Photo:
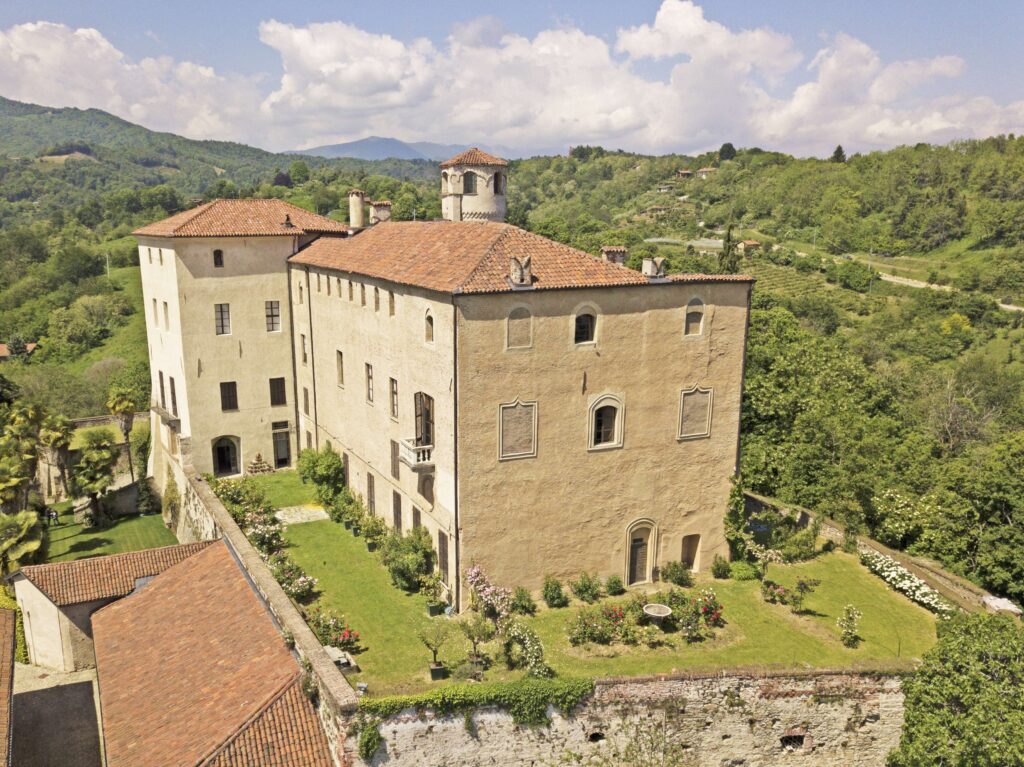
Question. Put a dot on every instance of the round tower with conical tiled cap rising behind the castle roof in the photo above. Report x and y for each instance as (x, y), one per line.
(474, 187)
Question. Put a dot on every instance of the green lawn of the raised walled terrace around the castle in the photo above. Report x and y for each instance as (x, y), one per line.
(894, 630)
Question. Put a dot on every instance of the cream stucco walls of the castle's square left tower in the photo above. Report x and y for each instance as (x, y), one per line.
(182, 286)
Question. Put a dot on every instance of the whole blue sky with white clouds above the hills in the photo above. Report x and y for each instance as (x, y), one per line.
(933, 71)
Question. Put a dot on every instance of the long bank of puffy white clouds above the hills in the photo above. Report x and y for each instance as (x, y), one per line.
(488, 84)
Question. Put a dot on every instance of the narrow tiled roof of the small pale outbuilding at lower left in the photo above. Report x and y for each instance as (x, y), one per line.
(105, 578)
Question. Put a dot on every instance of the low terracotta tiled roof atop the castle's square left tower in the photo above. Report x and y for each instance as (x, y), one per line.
(242, 219)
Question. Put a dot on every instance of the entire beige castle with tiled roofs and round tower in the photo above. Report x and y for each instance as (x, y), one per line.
(538, 410)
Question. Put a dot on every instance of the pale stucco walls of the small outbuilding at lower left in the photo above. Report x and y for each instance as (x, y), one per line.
(57, 637)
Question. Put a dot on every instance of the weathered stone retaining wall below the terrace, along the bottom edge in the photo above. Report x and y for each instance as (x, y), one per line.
(842, 718)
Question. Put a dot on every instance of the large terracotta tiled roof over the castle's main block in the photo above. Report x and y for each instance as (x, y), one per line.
(467, 258)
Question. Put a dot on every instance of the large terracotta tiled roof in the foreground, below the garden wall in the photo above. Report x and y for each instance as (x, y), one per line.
(193, 672)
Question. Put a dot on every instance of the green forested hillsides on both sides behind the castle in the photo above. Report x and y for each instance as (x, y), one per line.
(900, 412)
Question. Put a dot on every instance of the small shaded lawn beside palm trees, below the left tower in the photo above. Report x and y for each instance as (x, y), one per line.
(69, 541)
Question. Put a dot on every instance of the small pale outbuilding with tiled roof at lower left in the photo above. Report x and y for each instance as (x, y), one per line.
(58, 601)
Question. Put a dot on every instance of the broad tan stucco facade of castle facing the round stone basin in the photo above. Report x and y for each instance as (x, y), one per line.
(573, 507)
